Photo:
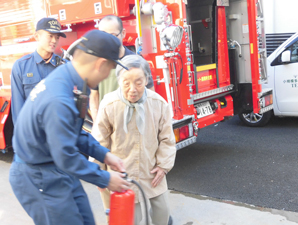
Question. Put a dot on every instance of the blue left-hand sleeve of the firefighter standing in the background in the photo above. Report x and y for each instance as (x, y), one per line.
(17, 92)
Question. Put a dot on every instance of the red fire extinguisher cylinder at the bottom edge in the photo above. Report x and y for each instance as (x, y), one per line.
(122, 208)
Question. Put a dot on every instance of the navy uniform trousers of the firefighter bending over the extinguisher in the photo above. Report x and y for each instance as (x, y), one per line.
(50, 196)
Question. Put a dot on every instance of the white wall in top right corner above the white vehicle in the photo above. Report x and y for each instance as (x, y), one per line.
(281, 16)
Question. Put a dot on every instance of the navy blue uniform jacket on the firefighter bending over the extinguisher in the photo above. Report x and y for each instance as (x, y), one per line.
(49, 129)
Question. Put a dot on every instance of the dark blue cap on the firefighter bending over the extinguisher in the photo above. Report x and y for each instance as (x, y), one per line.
(101, 44)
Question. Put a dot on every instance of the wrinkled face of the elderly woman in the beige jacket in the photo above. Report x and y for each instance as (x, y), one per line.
(132, 83)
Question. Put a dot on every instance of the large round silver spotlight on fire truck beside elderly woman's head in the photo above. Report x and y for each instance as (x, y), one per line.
(171, 36)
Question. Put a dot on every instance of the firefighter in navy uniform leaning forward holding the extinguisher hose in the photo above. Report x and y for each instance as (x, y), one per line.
(48, 139)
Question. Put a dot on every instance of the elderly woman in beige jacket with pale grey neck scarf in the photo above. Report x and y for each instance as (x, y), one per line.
(135, 123)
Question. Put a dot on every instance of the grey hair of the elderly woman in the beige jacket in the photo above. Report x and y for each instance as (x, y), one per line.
(133, 61)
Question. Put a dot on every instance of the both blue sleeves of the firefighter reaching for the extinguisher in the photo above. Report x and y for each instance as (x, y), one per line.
(65, 138)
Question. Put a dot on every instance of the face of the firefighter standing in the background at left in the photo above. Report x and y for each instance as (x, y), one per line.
(47, 41)
